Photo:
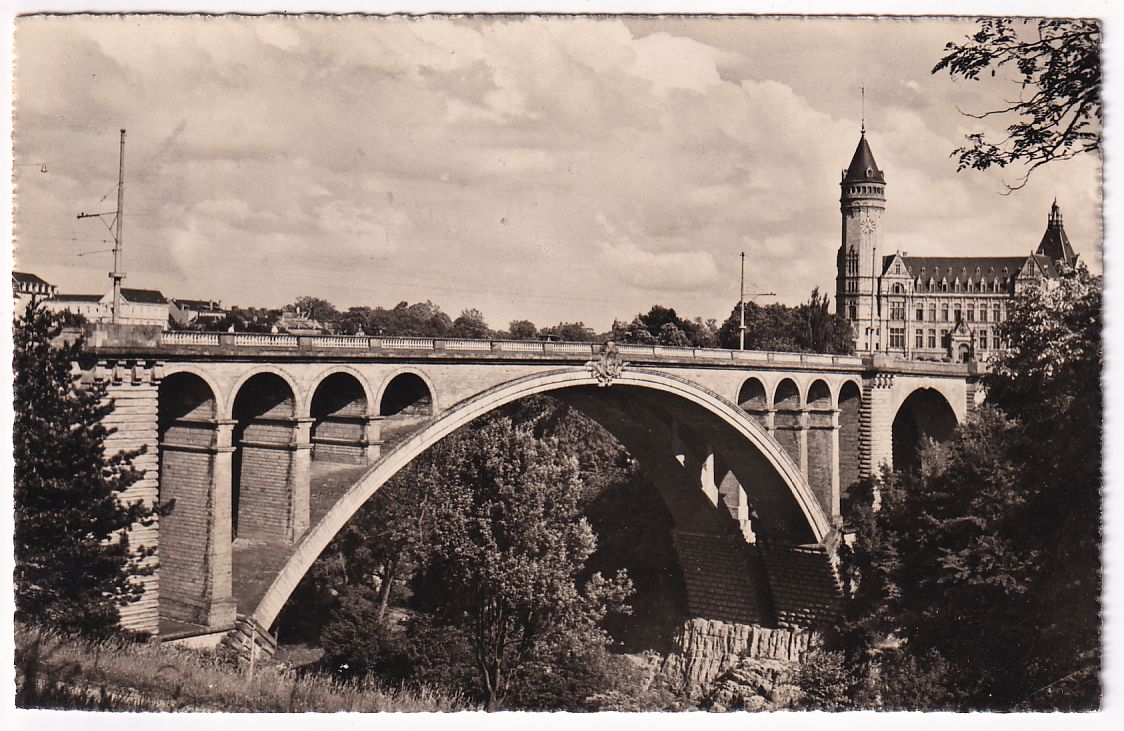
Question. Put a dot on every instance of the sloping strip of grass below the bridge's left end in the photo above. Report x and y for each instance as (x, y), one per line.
(57, 672)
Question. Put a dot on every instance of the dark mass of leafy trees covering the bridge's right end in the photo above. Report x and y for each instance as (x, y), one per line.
(987, 562)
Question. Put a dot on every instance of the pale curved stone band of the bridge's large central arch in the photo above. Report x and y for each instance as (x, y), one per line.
(784, 498)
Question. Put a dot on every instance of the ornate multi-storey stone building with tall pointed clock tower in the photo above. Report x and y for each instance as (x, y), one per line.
(927, 308)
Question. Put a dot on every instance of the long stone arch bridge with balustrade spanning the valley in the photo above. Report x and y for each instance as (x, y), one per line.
(269, 444)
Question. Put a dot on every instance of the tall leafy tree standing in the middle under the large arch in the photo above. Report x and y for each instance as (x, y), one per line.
(514, 542)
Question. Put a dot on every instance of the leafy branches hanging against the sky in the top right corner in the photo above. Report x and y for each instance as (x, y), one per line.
(1057, 64)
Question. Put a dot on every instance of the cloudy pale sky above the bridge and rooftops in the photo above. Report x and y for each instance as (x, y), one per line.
(551, 169)
